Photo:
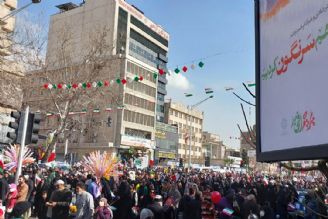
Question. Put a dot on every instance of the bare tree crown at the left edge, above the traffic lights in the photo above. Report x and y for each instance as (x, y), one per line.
(20, 50)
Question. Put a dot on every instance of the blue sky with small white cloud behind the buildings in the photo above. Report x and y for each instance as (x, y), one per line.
(220, 33)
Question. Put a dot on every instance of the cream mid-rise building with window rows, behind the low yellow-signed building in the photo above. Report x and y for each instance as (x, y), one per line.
(180, 115)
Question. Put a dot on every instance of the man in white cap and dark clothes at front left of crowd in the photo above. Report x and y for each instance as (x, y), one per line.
(59, 201)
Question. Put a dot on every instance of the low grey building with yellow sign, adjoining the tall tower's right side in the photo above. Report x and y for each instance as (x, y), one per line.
(167, 139)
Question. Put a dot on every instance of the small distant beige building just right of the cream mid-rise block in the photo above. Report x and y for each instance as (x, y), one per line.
(213, 148)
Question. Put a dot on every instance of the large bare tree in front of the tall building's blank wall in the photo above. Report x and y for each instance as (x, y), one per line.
(69, 66)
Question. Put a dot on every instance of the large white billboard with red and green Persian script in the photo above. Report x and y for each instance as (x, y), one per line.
(292, 79)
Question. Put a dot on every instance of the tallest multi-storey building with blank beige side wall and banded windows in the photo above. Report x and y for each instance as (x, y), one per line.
(140, 47)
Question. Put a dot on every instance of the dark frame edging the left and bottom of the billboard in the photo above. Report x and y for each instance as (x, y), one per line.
(301, 153)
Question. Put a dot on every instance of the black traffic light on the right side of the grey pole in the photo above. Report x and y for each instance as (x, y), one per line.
(33, 127)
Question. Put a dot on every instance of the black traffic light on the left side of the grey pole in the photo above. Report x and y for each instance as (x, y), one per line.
(17, 125)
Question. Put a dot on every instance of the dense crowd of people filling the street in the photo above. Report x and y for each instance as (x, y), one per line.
(158, 193)
